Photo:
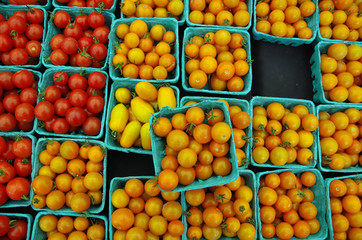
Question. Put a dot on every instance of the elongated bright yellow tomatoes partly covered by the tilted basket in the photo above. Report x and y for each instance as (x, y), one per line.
(129, 121)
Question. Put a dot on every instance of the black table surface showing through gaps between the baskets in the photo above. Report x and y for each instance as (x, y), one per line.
(278, 71)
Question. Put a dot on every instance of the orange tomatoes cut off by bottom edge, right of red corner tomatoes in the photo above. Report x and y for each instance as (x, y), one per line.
(71, 228)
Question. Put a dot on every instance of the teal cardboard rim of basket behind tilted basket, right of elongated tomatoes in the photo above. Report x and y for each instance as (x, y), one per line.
(243, 104)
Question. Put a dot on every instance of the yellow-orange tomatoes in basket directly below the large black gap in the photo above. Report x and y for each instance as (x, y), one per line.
(283, 136)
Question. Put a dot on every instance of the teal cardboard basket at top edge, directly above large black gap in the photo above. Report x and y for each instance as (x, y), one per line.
(312, 22)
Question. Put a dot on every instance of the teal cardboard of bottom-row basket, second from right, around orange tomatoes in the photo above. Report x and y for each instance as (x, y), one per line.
(319, 201)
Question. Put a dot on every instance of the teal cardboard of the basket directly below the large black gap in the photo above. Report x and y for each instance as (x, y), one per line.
(287, 103)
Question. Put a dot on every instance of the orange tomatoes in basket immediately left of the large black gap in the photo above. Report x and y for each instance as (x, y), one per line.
(218, 58)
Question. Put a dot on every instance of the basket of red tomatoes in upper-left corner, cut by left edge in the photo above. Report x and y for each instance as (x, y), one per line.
(21, 36)
